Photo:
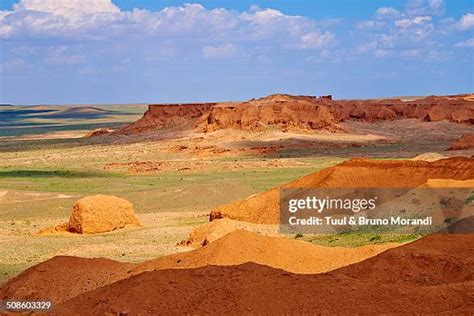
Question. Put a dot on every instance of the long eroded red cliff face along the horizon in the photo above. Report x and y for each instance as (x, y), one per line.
(299, 112)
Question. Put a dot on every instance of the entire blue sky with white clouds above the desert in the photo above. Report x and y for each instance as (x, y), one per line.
(124, 51)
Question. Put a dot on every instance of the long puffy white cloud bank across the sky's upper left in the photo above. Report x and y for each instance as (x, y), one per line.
(101, 19)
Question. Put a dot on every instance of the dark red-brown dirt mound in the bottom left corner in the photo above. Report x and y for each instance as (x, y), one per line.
(62, 278)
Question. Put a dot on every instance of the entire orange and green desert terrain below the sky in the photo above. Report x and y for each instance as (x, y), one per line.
(201, 188)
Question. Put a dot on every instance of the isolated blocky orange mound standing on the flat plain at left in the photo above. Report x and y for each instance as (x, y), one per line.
(96, 214)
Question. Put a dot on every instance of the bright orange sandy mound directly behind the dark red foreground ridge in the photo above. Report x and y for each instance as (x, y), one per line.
(279, 252)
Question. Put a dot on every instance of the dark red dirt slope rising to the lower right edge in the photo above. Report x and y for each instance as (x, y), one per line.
(433, 260)
